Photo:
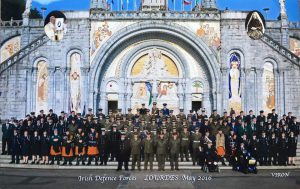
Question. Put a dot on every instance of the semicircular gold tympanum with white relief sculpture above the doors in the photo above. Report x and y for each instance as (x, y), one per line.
(155, 65)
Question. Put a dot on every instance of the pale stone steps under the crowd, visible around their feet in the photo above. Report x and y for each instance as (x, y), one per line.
(5, 159)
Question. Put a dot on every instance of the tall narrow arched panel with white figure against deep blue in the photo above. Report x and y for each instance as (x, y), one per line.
(235, 101)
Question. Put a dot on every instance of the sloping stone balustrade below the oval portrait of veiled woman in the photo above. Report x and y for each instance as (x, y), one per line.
(281, 49)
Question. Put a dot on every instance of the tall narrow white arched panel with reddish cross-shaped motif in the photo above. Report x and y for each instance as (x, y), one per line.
(75, 79)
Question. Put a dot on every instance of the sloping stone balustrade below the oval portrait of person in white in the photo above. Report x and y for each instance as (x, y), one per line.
(23, 52)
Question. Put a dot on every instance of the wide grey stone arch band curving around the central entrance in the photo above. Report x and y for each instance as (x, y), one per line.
(170, 32)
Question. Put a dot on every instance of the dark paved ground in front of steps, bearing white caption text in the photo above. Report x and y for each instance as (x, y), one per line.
(55, 179)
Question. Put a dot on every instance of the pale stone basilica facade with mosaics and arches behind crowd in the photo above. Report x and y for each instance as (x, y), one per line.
(121, 59)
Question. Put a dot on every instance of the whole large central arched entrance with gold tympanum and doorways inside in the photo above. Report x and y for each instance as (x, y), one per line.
(162, 60)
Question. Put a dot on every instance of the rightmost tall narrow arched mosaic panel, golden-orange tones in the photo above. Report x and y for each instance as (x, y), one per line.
(268, 87)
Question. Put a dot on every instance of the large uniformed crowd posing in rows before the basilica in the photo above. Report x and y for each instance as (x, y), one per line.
(150, 135)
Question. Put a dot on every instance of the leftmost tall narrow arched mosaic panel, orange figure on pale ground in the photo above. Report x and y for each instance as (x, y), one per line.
(42, 86)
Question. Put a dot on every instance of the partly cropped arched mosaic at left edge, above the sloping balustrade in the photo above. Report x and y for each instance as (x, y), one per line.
(9, 48)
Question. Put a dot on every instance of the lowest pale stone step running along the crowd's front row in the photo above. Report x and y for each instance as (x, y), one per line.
(111, 167)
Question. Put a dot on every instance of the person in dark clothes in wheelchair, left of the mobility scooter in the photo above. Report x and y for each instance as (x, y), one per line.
(211, 158)
